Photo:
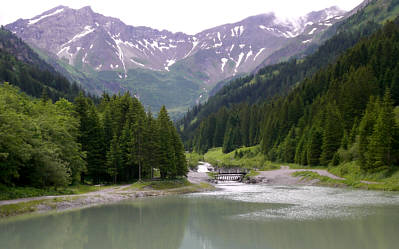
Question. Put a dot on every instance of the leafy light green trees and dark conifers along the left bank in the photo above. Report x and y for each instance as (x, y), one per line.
(55, 144)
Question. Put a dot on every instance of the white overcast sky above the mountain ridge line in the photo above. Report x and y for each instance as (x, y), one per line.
(188, 16)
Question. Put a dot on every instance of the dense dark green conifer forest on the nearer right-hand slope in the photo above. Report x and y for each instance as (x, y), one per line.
(343, 112)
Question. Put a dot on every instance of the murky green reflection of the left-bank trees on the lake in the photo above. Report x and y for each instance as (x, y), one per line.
(147, 224)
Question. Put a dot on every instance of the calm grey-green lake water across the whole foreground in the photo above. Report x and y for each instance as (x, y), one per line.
(238, 216)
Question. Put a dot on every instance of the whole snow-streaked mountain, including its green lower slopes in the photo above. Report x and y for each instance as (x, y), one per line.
(89, 46)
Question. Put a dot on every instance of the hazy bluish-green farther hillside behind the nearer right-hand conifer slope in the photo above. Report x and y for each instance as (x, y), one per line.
(276, 80)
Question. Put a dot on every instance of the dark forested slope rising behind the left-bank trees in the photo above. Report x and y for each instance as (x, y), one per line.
(21, 66)
